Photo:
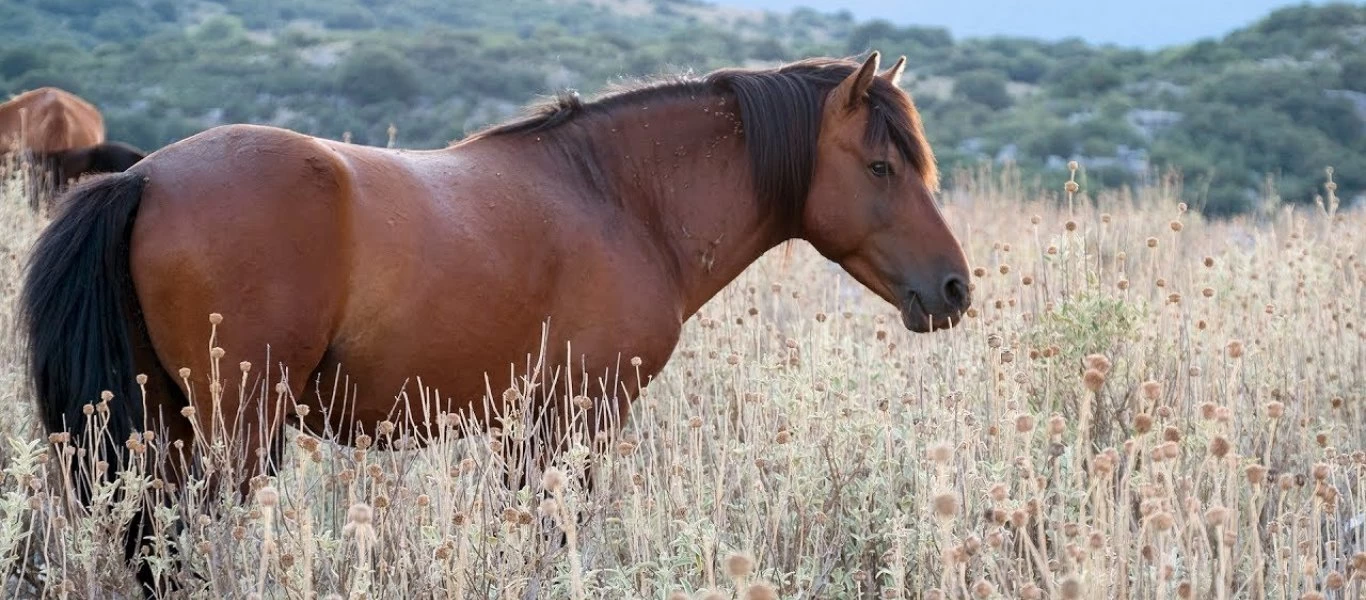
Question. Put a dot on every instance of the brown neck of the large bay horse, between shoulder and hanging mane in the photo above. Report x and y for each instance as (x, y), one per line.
(684, 176)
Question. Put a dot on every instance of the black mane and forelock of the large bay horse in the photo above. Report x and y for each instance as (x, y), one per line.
(781, 118)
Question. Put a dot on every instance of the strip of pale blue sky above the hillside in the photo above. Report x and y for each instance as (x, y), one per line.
(1143, 24)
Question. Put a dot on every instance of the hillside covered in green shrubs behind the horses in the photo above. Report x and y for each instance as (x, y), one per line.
(1257, 114)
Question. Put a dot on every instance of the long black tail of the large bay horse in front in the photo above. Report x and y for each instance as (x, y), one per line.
(80, 315)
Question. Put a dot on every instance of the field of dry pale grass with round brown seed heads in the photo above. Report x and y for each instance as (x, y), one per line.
(1145, 405)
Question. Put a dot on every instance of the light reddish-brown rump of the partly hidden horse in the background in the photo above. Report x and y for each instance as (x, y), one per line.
(48, 120)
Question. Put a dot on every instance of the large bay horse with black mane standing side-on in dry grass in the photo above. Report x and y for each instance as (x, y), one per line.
(613, 221)
